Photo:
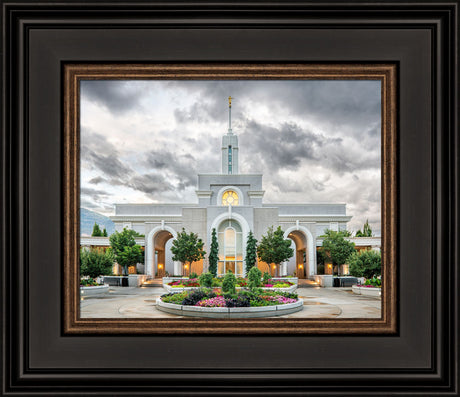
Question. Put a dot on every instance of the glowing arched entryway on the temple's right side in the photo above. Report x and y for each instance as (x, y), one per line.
(305, 255)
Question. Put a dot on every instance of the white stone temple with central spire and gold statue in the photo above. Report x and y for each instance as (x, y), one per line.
(232, 203)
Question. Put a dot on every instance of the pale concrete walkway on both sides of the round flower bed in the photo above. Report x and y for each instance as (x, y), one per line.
(127, 302)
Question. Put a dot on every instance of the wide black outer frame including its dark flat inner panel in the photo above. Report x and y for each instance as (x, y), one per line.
(420, 359)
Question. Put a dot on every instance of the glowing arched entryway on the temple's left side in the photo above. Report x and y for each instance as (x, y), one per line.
(155, 250)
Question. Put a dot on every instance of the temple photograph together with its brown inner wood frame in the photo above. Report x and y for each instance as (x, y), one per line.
(230, 203)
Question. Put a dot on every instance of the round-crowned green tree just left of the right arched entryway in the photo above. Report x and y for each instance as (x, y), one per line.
(273, 248)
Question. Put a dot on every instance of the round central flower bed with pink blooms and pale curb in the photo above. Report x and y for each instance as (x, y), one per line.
(207, 302)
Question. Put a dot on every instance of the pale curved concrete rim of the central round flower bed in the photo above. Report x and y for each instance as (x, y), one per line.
(230, 312)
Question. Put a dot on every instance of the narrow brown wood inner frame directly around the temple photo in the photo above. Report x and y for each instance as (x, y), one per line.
(74, 73)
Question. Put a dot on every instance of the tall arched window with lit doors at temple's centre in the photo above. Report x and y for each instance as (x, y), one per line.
(230, 239)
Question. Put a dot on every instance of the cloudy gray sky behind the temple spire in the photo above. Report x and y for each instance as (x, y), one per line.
(314, 141)
